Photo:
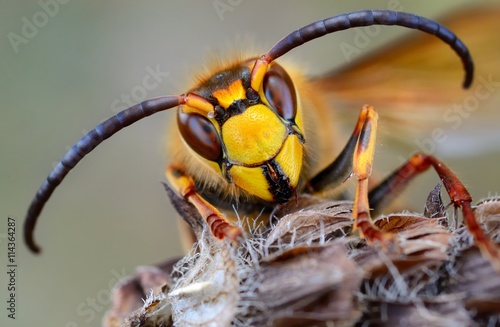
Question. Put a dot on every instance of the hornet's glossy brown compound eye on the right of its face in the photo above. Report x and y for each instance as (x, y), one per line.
(280, 93)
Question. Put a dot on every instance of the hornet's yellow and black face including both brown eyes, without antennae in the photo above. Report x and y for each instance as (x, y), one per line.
(252, 139)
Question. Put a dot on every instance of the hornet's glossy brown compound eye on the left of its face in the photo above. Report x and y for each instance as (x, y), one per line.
(200, 134)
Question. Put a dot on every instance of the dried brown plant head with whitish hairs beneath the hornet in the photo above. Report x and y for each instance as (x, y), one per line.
(309, 270)
